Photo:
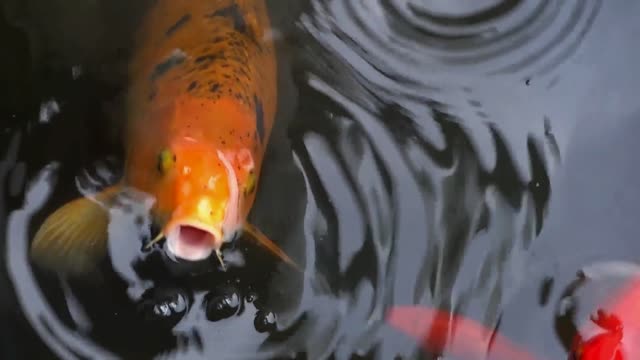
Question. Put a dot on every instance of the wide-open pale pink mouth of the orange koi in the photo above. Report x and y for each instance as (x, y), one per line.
(191, 242)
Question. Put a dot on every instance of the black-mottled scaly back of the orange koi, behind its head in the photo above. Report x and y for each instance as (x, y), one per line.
(233, 59)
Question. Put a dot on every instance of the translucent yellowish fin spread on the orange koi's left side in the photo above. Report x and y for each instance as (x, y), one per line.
(73, 239)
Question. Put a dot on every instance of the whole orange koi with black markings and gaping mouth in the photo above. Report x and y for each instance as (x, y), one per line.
(200, 110)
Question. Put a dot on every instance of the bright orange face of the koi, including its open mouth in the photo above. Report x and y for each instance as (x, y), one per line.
(201, 187)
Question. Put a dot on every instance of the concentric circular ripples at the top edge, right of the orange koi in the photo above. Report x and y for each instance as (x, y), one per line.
(489, 37)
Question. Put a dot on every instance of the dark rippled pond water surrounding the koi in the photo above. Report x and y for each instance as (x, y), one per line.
(467, 155)
